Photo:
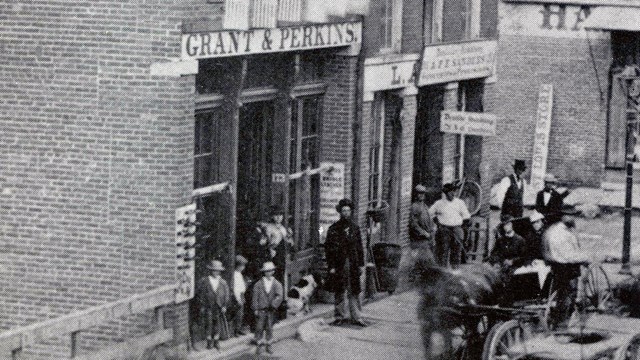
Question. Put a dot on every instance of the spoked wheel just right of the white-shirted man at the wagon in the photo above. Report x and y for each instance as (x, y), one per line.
(596, 291)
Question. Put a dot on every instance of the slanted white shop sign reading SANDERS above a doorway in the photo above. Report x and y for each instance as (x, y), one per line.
(455, 62)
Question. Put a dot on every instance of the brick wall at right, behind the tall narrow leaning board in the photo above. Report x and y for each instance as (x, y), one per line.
(577, 66)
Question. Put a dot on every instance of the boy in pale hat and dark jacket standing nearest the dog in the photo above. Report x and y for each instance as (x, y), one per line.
(268, 295)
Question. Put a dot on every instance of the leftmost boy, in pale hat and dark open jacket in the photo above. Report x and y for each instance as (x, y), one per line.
(212, 293)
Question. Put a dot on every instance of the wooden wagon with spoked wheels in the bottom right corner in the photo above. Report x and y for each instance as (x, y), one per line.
(592, 335)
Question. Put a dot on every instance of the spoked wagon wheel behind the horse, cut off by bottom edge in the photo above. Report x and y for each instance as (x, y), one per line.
(504, 336)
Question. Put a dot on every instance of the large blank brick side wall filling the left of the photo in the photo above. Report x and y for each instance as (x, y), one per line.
(95, 157)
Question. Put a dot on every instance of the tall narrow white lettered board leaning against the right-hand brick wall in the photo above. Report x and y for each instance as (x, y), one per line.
(541, 137)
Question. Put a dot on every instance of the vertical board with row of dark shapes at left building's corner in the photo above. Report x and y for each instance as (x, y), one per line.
(185, 240)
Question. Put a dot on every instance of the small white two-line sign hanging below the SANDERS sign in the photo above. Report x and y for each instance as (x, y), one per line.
(468, 123)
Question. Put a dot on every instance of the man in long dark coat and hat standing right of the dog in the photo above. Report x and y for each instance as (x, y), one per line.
(345, 259)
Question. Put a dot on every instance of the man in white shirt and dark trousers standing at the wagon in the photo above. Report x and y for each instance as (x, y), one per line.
(562, 252)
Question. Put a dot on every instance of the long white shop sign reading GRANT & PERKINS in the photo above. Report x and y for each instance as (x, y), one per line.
(259, 41)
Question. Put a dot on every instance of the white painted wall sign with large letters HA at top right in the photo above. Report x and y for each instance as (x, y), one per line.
(547, 20)
